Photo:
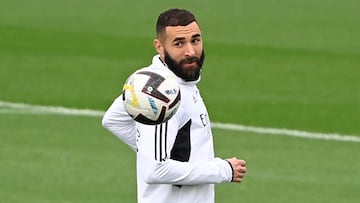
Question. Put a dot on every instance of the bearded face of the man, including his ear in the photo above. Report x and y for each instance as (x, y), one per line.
(182, 50)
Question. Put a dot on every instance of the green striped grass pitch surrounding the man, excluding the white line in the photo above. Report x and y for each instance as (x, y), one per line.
(280, 64)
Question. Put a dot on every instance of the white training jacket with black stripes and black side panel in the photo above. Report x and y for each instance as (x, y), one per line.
(175, 160)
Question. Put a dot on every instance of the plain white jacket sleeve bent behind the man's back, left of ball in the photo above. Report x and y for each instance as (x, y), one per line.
(117, 121)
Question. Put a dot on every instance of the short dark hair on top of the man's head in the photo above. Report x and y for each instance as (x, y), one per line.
(173, 17)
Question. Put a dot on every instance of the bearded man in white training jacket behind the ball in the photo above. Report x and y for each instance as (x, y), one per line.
(175, 160)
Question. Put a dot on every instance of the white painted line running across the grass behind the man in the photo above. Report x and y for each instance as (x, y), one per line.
(21, 108)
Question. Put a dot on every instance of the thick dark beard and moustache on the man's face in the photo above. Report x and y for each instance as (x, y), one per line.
(187, 74)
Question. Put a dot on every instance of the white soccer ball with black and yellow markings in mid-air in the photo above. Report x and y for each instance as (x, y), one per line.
(151, 96)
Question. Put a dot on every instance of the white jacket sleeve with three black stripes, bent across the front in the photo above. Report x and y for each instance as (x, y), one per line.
(156, 166)
